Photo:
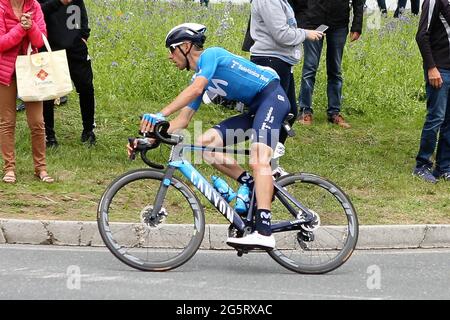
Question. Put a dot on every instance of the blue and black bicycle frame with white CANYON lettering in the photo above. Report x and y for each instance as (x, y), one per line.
(178, 162)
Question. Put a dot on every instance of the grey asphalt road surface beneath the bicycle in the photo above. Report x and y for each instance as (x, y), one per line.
(54, 272)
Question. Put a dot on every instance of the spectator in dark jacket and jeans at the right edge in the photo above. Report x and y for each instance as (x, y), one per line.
(434, 45)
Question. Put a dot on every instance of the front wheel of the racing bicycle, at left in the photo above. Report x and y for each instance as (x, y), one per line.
(129, 238)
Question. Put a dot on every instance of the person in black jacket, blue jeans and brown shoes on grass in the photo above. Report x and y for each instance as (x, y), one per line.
(336, 15)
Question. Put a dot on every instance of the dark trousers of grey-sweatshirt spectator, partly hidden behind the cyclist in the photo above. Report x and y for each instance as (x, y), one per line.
(286, 75)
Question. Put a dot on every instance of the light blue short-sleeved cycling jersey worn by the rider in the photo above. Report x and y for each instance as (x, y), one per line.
(231, 76)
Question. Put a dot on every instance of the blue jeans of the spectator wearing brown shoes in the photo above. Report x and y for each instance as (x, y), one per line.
(312, 50)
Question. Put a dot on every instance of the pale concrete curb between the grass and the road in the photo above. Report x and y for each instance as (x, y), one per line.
(85, 233)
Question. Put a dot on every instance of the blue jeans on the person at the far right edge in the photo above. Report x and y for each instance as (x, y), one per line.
(437, 122)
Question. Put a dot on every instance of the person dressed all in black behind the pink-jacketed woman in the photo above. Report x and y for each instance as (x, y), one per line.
(63, 35)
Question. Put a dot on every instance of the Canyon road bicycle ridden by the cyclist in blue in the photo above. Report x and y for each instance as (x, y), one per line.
(152, 220)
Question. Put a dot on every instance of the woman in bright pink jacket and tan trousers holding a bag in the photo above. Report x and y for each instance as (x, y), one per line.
(21, 22)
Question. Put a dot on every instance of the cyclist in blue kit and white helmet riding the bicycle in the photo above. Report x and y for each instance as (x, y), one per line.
(234, 78)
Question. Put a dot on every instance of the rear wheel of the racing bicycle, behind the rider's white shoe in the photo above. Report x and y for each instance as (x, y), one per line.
(339, 221)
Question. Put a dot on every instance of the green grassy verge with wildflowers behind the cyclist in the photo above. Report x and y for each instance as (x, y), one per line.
(372, 162)
